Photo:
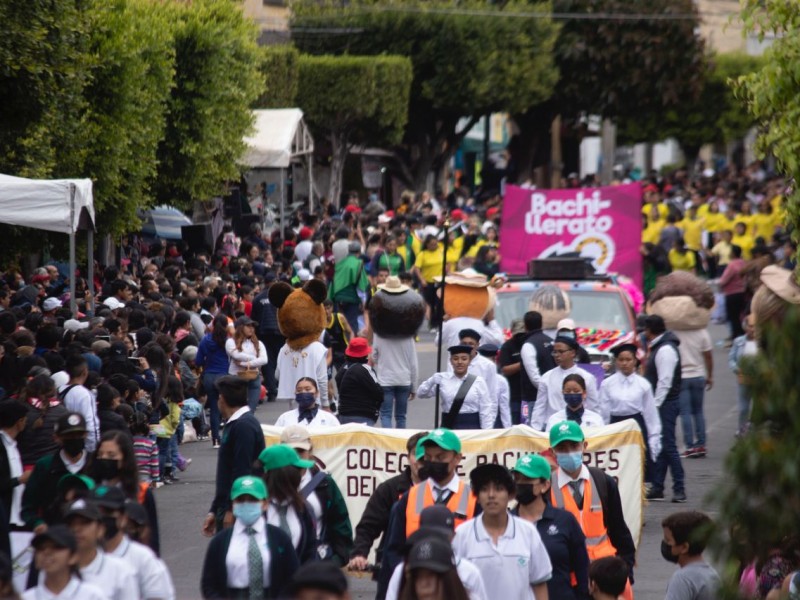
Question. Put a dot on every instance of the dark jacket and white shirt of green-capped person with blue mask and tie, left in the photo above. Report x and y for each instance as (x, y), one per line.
(226, 569)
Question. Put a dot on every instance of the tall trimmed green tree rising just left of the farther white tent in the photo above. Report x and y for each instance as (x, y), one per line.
(217, 81)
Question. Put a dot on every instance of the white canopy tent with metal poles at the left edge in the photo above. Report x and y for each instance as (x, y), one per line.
(61, 205)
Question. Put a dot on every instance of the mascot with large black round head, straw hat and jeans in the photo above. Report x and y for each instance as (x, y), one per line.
(395, 314)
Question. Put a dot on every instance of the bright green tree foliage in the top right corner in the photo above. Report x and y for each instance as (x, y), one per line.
(772, 94)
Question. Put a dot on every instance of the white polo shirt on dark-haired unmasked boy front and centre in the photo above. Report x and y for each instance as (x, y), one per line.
(520, 556)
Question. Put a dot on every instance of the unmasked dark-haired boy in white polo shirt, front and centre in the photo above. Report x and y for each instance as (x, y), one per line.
(498, 542)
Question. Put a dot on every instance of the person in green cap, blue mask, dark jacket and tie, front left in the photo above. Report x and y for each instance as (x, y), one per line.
(252, 559)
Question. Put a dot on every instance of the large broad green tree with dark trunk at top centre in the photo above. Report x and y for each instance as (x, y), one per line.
(470, 58)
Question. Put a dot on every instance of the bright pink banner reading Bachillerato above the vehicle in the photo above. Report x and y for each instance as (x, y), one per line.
(604, 224)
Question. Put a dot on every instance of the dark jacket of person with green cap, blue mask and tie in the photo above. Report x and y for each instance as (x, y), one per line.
(283, 564)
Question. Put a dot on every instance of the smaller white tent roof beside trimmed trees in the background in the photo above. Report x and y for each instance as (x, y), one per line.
(279, 135)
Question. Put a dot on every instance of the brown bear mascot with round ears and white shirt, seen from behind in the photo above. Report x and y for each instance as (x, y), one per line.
(301, 319)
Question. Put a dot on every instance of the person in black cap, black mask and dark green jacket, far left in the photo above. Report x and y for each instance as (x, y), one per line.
(39, 506)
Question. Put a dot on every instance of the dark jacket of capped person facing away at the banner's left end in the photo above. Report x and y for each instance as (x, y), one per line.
(242, 442)
